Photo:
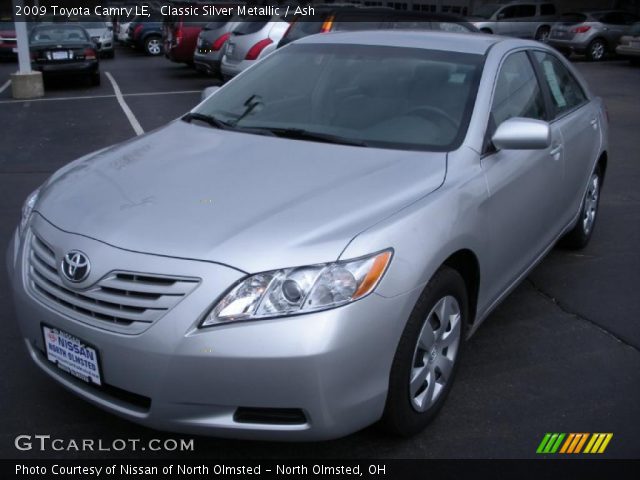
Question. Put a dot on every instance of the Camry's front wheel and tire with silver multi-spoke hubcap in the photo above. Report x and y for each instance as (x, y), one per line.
(428, 344)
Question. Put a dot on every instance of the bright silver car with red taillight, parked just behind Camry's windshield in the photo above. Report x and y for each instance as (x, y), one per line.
(251, 41)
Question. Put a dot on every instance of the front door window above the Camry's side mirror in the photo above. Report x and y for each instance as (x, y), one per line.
(517, 92)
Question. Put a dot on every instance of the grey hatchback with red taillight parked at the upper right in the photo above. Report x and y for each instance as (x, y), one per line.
(593, 34)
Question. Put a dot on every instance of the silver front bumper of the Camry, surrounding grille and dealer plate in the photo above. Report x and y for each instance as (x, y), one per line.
(333, 366)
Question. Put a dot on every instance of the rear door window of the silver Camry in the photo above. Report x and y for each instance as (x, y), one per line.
(566, 92)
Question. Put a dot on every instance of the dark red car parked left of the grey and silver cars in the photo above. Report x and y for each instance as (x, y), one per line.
(180, 35)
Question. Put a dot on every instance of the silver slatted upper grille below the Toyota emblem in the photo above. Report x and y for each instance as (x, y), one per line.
(121, 300)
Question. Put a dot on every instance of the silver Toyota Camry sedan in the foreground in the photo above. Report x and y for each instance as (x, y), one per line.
(306, 251)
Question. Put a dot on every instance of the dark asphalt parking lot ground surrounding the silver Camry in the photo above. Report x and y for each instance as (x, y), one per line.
(561, 354)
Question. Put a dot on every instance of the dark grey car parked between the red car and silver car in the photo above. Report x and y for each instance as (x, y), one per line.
(211, 44)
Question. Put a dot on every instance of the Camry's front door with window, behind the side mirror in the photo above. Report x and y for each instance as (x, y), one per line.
(525, 186)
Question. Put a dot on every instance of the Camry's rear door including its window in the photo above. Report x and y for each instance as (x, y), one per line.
(579, 122)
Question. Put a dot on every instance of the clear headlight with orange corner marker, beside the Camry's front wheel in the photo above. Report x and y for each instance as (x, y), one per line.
(298, 290)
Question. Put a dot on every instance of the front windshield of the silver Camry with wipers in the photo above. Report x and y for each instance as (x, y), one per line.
(387, 97)
